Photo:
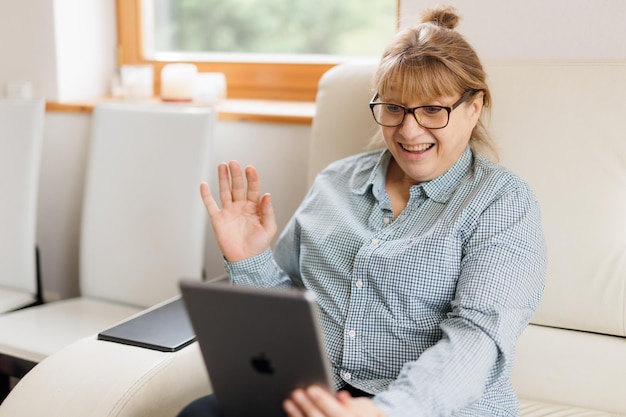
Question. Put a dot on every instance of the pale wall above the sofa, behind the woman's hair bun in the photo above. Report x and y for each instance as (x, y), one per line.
(536, 29)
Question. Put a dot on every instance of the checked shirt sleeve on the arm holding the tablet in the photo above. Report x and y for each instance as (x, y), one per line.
(500, 285)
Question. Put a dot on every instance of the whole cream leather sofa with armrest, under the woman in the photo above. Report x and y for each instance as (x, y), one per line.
(557, 124)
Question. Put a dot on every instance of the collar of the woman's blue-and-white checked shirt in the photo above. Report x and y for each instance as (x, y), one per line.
(439, 189)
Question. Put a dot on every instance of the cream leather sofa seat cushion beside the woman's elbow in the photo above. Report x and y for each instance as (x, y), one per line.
(571, 368)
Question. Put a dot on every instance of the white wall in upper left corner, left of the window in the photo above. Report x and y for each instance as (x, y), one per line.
(64, 48)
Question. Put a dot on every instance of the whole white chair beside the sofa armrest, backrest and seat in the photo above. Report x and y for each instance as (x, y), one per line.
(142, 230)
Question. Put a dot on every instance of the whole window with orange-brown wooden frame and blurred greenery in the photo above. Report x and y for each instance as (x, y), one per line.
(282, 46)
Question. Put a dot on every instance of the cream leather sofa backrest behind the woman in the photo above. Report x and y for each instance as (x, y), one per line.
(559, 126)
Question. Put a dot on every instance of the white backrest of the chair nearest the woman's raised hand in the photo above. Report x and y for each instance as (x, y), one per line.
(143, 222)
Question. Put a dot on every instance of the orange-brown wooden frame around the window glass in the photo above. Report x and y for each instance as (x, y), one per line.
(267, 81)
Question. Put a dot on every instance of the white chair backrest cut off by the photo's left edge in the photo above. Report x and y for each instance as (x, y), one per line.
(21, 137)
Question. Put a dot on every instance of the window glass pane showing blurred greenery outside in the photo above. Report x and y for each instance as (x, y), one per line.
(320, 27)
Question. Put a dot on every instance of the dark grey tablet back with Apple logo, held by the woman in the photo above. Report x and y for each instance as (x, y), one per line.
(258, 344)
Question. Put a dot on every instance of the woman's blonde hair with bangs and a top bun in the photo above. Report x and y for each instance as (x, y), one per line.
(432, 60)
